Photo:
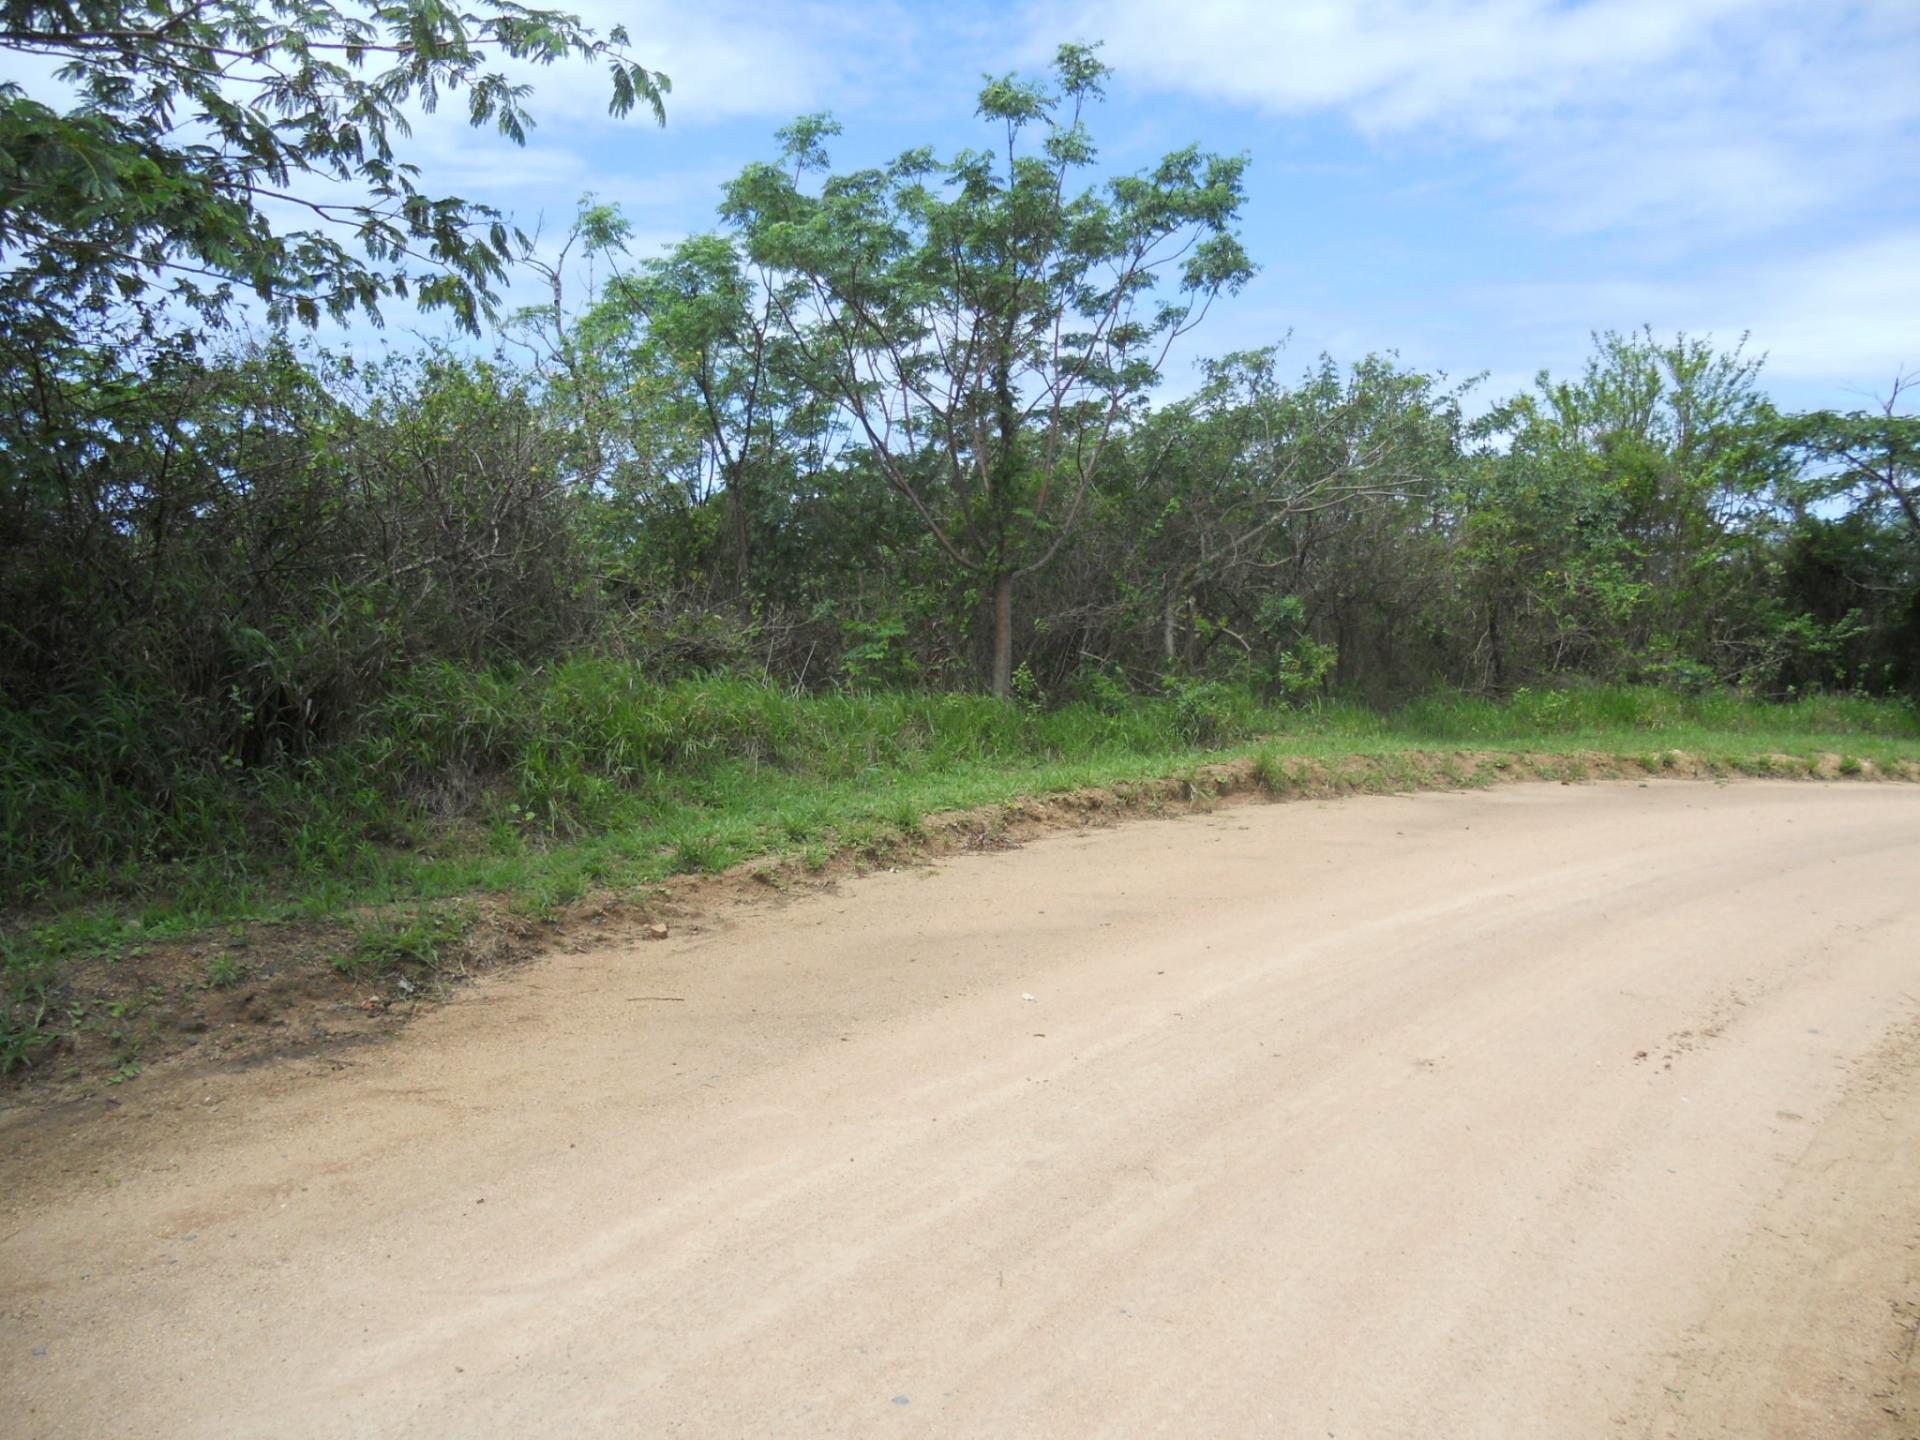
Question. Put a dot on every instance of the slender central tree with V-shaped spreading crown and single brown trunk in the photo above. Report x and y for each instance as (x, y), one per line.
(984, 325)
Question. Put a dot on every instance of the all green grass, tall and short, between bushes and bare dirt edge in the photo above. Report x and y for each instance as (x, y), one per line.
(546, 786)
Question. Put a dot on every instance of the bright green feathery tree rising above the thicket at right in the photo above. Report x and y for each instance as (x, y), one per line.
(1614, 529)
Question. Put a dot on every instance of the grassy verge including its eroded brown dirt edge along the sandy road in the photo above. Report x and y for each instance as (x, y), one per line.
(502, 804)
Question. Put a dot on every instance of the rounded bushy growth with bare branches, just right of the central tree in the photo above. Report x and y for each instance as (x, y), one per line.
(1245, 519)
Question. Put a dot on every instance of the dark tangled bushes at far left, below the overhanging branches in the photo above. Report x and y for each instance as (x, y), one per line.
(193, 646)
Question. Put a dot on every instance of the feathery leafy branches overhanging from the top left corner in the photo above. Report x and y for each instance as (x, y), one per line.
(195, 122)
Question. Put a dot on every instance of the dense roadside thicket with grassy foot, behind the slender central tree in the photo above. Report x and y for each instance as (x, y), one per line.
(279, 612)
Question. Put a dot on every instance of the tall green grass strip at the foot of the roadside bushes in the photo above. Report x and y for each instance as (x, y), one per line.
(479, 767)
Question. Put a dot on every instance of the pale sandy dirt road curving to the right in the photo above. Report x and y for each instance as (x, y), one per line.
(1537, 1113)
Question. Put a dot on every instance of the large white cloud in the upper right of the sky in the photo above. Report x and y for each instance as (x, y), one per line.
(1712, 114)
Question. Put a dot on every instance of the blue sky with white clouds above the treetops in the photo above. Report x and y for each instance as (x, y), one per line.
(1474, 183)
